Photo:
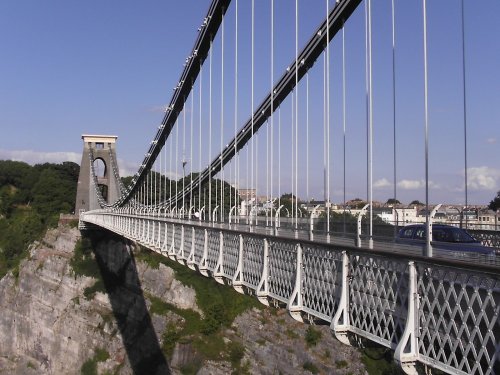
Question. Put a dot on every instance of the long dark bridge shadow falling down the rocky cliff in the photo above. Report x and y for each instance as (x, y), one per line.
(121, 280)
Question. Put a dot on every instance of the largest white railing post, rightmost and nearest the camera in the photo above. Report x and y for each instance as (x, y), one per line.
(406, 353)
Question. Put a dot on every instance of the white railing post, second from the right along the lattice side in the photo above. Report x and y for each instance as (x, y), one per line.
(341, 322)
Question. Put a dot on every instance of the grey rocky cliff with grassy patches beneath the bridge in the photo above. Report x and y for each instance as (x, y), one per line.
(135, 316)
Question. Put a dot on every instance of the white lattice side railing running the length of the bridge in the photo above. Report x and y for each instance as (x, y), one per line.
(437, 312)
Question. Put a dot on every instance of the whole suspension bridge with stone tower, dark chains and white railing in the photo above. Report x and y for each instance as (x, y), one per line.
(282, 110)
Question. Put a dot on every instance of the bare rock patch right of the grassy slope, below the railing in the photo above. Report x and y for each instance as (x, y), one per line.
(274, 343)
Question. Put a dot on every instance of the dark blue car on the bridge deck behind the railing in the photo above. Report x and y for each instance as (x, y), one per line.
(445, 237)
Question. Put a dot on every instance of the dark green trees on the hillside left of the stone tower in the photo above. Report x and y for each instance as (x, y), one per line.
(31, 199)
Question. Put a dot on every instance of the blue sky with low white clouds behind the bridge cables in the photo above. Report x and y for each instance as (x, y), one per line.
(70, 68)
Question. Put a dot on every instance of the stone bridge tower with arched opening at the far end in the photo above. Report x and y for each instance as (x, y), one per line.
(98, 152)
